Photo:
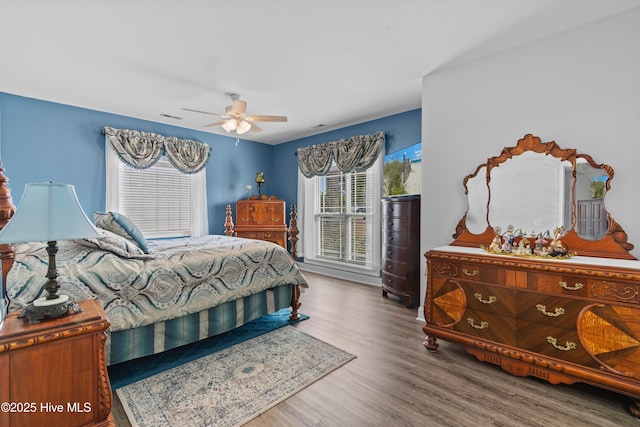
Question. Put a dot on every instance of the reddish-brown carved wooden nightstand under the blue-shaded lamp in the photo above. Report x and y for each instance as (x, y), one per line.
(54, 373)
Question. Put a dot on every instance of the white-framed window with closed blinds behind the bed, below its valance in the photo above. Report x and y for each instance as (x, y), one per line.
(160, 200)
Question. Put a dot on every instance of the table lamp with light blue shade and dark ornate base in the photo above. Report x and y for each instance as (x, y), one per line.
(48, 212)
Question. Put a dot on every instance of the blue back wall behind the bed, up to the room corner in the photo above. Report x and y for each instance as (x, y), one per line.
(45, 141)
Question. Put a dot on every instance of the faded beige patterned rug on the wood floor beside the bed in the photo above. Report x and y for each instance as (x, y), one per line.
(234, 385)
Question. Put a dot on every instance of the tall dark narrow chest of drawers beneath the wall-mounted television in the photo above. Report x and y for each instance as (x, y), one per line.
(401, 248)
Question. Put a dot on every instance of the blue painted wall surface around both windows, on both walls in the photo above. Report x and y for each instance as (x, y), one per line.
(46, 141)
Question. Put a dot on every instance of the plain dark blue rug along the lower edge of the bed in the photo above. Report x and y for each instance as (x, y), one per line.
(122, 374)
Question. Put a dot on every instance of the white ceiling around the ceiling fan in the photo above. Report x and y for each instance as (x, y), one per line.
(331, 62)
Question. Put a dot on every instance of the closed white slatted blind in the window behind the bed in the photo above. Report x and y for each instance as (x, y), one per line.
(158, 199)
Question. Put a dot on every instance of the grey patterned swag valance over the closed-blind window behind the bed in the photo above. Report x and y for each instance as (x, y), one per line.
(141, 150)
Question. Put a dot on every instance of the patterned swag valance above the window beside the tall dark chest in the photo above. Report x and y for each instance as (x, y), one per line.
(357, 153)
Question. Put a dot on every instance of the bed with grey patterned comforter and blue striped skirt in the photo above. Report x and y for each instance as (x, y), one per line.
(171, 293)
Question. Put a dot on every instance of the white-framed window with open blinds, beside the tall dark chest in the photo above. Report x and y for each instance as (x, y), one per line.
(342, 219)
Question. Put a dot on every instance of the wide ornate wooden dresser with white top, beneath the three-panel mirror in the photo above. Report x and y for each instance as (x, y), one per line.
(560, 320)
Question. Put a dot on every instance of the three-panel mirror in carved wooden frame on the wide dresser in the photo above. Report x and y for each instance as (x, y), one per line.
(537, 187)
